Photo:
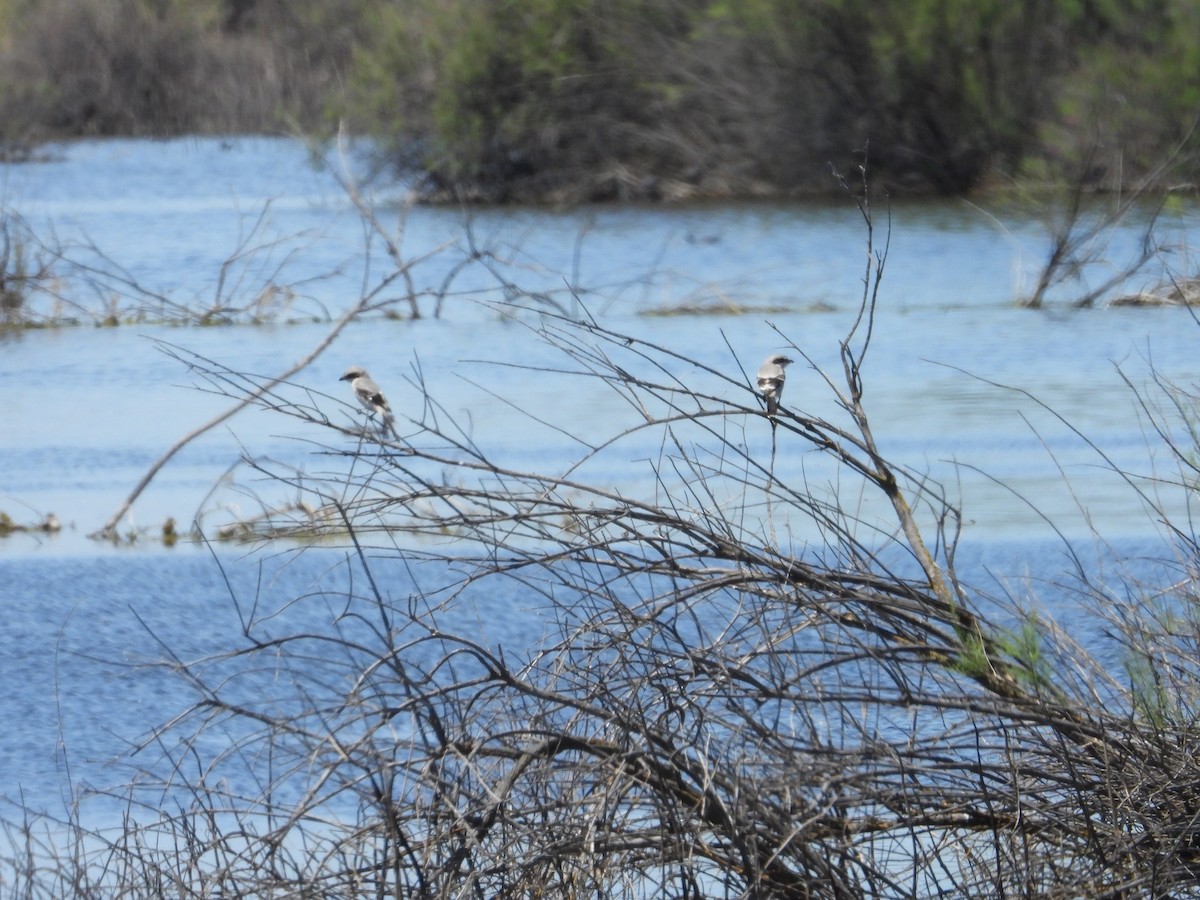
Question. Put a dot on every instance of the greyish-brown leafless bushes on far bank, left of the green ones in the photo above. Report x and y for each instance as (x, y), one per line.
(160, 68)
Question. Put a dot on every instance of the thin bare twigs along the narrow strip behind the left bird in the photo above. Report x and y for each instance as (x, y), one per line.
(47, 283)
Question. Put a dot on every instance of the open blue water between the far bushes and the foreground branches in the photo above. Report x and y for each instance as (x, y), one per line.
(86, 411)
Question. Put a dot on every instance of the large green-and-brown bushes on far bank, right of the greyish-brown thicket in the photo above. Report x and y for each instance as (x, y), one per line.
(673, 98)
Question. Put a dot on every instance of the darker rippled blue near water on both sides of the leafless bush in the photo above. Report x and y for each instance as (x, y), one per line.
(104, 652)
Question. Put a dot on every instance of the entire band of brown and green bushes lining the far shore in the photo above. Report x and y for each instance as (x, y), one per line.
(637, 99)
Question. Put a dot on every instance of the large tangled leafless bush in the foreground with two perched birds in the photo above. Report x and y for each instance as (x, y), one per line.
(757, 680)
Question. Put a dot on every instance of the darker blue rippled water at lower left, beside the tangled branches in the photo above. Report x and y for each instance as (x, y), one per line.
(97, 649)
